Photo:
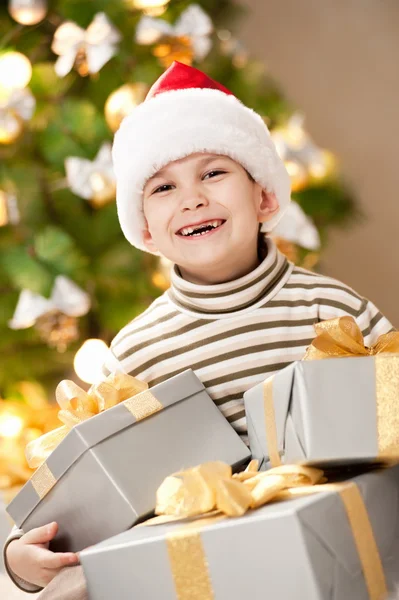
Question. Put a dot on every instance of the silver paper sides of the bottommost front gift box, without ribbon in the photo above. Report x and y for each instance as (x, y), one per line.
(297, 549)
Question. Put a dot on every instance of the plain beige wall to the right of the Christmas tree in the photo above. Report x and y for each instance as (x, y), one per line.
(337, 60)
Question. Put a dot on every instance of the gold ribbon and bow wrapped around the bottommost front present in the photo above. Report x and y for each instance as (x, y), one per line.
(212, 487)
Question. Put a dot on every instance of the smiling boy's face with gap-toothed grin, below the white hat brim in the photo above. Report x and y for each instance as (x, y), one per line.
(203, 213)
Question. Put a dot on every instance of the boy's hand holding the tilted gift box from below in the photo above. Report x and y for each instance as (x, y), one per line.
(30, 558)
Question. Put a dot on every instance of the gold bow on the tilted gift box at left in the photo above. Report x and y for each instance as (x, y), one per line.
(78, 406)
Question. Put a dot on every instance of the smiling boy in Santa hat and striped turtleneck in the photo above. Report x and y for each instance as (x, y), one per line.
(197, 176)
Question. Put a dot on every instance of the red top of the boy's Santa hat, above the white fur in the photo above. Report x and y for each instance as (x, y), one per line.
(182, 77)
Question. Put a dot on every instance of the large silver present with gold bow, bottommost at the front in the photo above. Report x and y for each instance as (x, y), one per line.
(310, 540)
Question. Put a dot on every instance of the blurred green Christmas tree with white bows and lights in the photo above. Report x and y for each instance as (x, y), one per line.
(69, 73)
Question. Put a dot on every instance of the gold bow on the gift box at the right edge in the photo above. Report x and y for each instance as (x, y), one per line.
(342, 337)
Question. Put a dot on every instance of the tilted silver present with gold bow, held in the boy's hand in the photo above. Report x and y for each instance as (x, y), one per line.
(101, 470)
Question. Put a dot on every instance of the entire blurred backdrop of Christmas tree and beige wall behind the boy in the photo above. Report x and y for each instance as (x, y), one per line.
(322, 75)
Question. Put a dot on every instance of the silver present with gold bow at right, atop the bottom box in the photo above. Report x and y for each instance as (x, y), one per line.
(335, 411)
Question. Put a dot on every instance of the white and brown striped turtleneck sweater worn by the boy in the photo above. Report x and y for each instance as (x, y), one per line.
(235, 334)
